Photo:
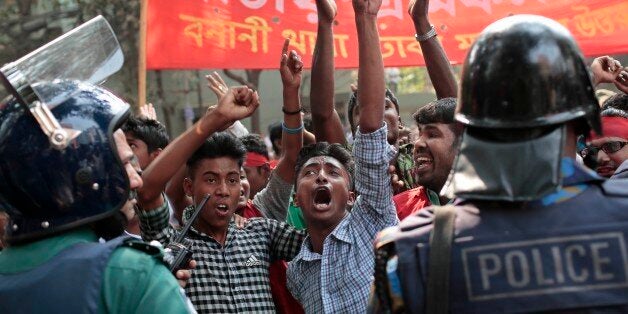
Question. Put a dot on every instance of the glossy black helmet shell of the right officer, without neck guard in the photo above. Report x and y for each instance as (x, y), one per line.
(525, 71)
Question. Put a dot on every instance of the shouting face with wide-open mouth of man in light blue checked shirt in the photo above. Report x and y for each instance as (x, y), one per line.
(323, 191)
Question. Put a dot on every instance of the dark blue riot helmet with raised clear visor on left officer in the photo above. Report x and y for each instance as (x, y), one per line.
(59, 164)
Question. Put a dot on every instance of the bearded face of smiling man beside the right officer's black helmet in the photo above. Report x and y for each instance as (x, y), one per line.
(434, 154)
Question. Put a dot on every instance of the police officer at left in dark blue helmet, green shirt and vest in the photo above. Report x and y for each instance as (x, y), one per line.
(66, 180)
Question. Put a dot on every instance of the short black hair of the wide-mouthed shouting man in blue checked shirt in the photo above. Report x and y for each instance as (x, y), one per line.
(337, 151)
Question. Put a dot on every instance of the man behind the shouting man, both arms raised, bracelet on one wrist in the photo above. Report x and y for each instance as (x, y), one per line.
(326, 122)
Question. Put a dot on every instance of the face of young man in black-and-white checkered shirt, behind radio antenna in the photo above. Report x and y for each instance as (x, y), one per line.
(220, 178)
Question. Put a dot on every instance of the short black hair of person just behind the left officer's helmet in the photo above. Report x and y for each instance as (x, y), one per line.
(147, 130)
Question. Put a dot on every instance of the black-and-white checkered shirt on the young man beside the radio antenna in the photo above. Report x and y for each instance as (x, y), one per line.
(233, 278)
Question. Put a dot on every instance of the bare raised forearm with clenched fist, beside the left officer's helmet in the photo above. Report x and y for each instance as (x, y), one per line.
(236, 104)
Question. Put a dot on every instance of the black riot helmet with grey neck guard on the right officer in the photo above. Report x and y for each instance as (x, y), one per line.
(522, 80)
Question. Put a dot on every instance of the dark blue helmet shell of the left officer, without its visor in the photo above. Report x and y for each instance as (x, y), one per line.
(46, 189)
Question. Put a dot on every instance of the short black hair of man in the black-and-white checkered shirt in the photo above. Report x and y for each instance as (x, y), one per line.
(218, 145)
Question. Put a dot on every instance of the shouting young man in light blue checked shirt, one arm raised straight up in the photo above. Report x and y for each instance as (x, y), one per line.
(333, 271)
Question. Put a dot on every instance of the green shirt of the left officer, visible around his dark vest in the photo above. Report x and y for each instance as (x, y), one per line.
(133, 282)
